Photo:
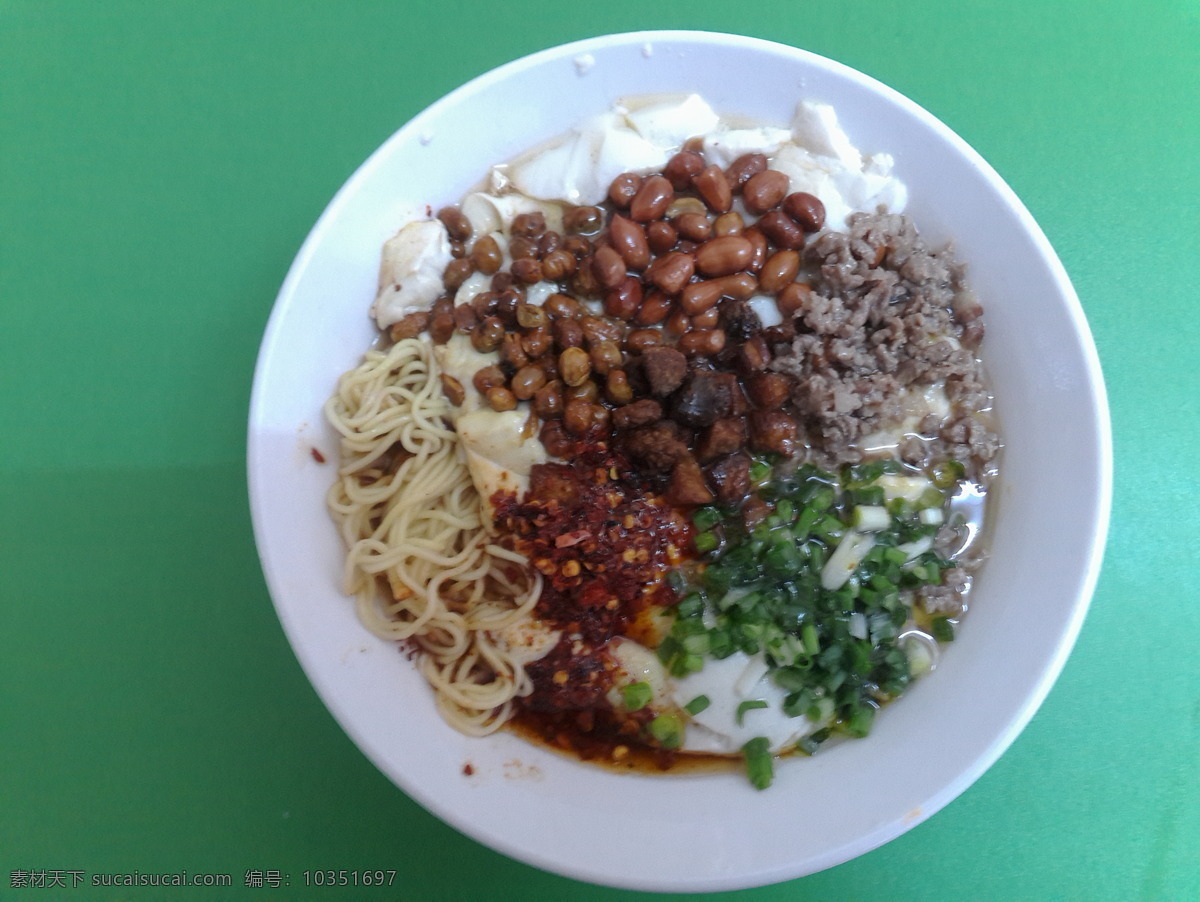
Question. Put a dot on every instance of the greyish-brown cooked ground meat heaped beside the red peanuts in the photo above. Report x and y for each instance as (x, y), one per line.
(887, 314)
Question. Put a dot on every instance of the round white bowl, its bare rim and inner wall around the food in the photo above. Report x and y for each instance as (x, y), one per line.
(699, 832)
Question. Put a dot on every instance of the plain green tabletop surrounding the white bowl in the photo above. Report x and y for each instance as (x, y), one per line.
(160, 166)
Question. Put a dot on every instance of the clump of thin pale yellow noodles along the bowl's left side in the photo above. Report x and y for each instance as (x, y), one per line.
(422, 564)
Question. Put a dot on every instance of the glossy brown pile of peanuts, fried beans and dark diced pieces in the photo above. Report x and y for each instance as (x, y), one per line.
(650, 341)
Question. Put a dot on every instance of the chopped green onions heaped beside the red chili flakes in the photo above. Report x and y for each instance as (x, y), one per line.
(821, 585)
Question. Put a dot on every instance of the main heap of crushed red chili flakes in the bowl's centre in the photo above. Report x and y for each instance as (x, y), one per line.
(602, 539)
